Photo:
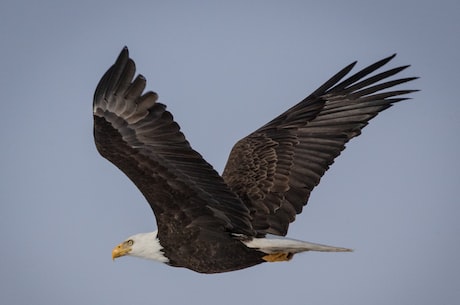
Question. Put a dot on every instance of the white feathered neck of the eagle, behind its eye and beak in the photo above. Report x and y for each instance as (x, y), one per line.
(147, 245)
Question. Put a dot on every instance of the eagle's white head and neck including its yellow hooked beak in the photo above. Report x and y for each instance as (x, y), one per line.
(143, 245)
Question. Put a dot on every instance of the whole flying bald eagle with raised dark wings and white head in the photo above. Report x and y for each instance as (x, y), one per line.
(214, 223)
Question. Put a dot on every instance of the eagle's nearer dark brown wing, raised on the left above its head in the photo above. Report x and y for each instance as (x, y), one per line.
(140, 137)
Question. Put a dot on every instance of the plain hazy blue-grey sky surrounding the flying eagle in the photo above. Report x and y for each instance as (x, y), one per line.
(224, 68)
